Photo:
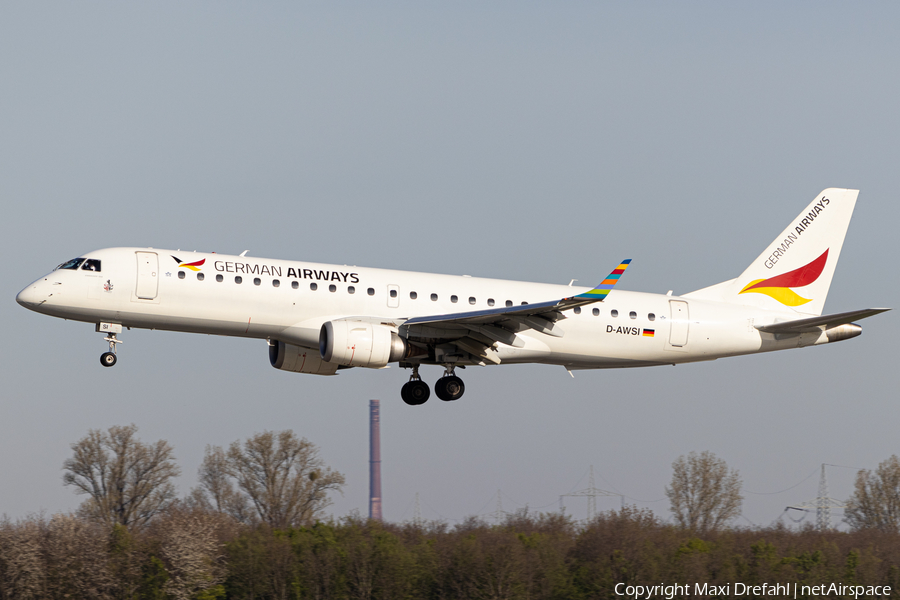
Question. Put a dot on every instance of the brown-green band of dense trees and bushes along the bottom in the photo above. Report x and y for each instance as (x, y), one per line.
(193, 552)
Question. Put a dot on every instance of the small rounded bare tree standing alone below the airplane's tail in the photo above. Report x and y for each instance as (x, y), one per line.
(704, 495)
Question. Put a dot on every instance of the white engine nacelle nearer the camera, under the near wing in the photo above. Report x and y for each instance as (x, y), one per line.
(359, 344)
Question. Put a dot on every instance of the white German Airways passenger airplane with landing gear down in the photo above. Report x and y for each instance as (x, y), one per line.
(320, 318)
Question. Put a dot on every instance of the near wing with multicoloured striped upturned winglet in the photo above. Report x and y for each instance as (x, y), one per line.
(478, 332)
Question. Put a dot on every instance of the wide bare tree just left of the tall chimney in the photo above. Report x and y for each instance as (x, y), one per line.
(277, 476)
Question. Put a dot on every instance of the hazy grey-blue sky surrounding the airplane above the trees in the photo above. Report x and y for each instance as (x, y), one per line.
(529, 141)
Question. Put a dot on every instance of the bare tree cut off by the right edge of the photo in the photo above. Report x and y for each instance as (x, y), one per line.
(875, 503)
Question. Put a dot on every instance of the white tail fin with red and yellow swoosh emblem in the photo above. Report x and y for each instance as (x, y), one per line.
(795, 271)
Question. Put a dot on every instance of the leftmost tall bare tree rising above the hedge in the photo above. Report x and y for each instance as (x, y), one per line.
(128, 482)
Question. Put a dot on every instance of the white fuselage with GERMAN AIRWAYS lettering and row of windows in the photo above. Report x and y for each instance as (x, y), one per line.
(289, 301)
